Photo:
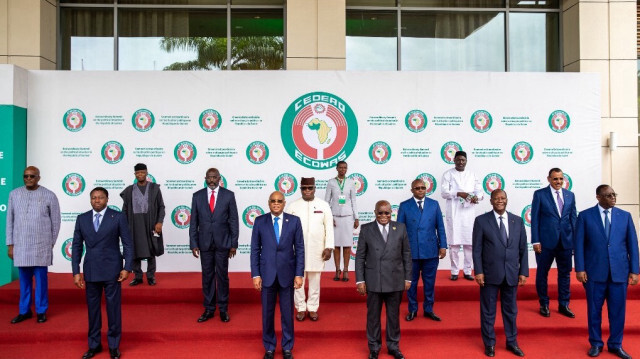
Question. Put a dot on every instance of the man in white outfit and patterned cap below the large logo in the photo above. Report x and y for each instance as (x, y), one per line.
(317, 228)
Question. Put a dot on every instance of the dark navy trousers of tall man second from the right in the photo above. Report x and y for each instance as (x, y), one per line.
(544, 261)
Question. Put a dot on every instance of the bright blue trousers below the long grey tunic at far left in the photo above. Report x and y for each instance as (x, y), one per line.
(26, 275)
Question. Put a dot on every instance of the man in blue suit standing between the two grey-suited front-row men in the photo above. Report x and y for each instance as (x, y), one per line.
(428, 242)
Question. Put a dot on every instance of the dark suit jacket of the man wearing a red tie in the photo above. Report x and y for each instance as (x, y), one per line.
(219, 230)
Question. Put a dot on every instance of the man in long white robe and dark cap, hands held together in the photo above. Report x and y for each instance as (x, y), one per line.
(462, 190)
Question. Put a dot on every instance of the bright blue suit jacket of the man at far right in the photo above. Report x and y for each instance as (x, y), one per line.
(599, 257)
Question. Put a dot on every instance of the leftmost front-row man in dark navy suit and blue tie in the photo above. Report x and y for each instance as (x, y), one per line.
(101, 230)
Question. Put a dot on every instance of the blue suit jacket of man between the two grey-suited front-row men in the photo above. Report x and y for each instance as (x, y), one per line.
(425, 229)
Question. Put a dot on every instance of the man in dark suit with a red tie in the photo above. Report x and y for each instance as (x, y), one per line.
(213, 237)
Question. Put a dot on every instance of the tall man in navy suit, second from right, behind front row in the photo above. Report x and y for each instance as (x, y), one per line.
(553, 219)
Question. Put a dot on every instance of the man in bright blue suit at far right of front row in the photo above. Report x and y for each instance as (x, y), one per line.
(606, 256)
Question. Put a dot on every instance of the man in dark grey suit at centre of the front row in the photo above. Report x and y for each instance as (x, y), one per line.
(383, 272)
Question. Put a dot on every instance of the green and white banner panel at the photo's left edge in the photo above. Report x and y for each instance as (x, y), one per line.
(13, 151)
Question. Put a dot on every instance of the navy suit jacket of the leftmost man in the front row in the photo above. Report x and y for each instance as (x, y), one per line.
(102, 260)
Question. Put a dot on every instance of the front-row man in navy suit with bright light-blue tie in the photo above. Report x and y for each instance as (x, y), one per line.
(277, 267)
